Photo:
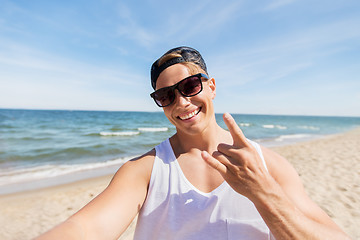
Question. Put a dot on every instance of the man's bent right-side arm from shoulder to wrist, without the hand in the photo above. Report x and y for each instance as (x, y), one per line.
(297, 216)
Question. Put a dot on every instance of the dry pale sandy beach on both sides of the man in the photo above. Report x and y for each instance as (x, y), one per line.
(329, 168)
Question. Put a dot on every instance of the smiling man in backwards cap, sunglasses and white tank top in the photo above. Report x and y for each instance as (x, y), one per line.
(203, 182)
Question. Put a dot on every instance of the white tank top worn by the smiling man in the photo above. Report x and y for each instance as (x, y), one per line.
(175, 209)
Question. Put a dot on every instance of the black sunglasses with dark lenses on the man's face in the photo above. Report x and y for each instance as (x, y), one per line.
(187, 87)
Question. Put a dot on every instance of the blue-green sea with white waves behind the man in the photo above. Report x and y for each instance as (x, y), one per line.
(41, 148)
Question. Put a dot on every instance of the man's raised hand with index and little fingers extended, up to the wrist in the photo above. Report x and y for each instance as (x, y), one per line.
(240, 164)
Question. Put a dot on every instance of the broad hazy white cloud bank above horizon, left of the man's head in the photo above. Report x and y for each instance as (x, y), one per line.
(31, 78)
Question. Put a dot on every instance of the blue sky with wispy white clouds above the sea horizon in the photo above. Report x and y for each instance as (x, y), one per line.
(294, 57)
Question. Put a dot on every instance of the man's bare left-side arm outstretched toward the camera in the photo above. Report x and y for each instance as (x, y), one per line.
(109, 214)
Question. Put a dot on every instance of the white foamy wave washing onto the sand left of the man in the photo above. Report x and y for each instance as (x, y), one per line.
(51, 170)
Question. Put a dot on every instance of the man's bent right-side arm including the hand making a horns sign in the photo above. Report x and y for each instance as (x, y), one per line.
(278, 194)
